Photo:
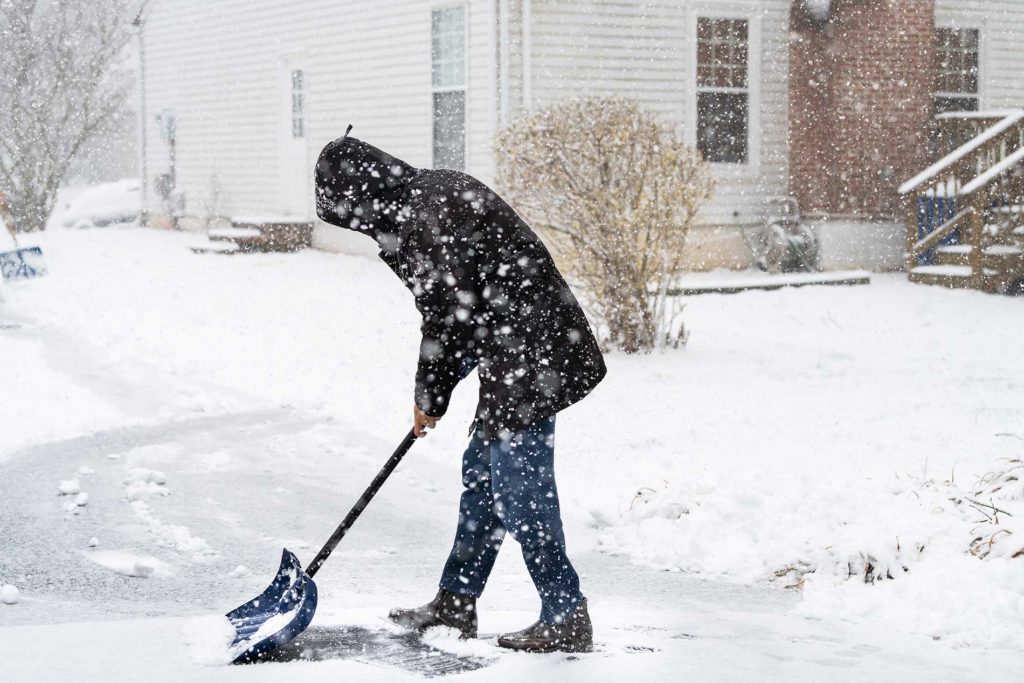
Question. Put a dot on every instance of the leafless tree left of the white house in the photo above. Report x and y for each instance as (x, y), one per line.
(61, 87)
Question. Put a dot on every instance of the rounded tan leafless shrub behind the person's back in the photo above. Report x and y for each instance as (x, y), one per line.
(616, 192)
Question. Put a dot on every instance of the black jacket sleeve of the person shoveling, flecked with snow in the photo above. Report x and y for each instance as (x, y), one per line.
(445, 277)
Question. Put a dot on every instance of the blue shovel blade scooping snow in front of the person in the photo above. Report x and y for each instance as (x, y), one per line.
(278, 616)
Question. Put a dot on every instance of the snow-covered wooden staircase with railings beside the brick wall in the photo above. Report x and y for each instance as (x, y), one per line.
(965, 214)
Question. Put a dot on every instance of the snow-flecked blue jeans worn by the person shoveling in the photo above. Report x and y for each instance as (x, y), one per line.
(510, 487)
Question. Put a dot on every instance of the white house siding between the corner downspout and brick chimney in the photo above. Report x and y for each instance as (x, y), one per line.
(647, 50)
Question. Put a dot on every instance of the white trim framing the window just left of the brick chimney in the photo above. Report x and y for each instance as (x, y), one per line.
(727, 11)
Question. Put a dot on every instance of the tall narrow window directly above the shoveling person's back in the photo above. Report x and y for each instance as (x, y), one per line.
(448, 56)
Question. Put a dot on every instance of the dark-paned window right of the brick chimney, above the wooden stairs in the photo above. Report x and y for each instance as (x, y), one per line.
(956, 70)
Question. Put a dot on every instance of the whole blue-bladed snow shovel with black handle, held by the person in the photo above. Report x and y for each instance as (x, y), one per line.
(286, 608)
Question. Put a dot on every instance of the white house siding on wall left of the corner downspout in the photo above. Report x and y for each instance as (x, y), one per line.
(221, 66)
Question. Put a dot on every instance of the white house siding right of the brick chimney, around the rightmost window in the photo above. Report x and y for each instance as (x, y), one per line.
(1001, 25)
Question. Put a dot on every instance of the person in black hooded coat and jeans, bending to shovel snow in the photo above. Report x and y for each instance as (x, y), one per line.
(491, 298)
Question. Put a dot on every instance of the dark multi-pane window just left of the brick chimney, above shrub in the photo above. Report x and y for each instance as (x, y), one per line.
(723, 91)
